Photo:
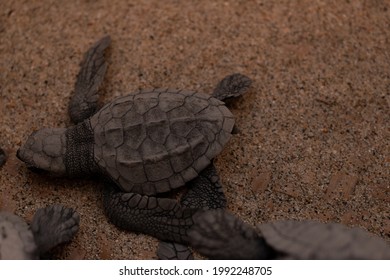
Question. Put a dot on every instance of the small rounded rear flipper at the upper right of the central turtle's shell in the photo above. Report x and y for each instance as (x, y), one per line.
(232, 86)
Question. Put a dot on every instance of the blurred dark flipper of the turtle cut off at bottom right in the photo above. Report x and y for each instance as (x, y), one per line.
(218, 234)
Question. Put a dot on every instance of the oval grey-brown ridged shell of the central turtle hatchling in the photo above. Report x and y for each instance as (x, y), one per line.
(152, 141)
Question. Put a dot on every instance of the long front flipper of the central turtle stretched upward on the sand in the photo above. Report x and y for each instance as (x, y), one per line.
(83, 103)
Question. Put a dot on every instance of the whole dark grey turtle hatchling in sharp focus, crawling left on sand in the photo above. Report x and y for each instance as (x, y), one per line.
(145, 143)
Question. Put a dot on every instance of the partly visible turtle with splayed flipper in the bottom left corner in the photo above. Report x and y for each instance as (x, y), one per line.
(50, 227)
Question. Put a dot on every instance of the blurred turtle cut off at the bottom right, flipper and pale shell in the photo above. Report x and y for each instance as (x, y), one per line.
(220, 235)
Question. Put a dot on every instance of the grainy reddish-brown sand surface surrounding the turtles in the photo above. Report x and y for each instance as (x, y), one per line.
(314, 129)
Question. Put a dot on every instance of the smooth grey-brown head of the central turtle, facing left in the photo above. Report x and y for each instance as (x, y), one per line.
(44, 151)
